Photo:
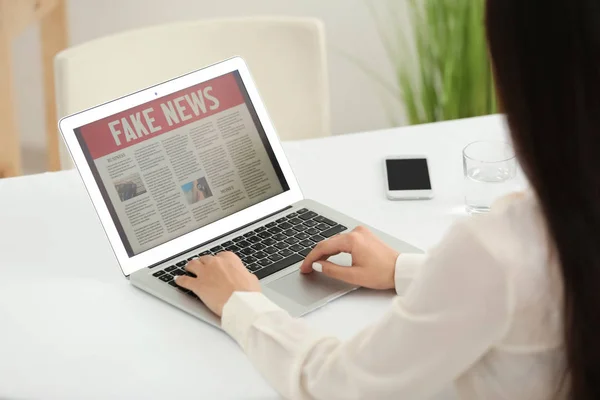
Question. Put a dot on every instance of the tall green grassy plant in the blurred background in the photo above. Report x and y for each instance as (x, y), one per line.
(440, 61)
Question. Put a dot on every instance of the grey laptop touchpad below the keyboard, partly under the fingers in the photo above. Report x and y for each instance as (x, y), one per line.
(310, 288)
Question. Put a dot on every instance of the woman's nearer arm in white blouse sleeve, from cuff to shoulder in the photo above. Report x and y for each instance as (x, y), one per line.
(454, 311)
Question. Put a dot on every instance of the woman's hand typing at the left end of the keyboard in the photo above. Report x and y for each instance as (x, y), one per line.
(217, 277)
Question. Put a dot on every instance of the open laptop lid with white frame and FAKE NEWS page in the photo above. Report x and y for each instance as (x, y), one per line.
(181, 163)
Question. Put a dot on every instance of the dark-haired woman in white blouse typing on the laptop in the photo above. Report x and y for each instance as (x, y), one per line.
(507, 306)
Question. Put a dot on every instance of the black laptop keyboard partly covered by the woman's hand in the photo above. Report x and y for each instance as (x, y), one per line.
(269, 248)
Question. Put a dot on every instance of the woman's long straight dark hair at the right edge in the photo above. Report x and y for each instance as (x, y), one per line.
(546, 60)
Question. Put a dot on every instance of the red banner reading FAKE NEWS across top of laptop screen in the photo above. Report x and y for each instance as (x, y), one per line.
(159, 116)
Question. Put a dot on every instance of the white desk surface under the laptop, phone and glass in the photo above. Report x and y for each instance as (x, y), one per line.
(71, 326)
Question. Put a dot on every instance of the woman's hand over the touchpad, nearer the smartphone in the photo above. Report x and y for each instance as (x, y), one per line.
(373, 262)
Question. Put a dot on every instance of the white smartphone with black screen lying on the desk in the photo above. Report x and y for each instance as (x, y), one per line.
(408, 178)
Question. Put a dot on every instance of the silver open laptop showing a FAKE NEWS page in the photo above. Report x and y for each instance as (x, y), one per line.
(193, 167)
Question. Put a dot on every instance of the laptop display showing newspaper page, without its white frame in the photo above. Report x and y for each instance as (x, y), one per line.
(180, 162)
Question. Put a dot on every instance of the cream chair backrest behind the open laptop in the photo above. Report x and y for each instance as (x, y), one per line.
(286, 57)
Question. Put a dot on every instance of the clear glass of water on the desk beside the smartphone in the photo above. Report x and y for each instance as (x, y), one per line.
(490, 172)
